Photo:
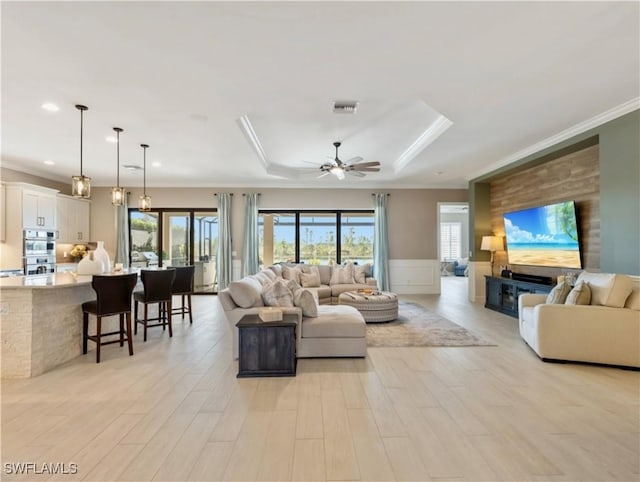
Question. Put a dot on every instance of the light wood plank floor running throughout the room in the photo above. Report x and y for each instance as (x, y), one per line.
(175, 411)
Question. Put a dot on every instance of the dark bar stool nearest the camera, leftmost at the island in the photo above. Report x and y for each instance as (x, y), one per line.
(113, 297)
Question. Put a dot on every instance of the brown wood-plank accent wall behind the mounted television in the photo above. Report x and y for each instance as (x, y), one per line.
(576, 177)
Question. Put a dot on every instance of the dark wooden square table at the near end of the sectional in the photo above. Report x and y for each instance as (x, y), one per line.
(267, 348)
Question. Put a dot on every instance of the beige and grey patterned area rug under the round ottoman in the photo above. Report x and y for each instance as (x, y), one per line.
(417, 326)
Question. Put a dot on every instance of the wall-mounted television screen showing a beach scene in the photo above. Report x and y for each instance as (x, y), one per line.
(544, 236)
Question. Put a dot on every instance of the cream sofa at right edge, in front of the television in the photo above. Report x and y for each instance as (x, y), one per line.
(606, 330)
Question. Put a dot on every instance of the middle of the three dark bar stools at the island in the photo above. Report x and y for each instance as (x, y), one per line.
(157, 289)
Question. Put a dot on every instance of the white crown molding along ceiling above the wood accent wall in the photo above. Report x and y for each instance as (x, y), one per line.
(600, 119)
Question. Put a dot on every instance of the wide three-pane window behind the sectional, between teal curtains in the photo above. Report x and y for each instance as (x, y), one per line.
(315, 237)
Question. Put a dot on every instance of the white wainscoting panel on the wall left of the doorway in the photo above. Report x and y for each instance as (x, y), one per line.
(414, 276)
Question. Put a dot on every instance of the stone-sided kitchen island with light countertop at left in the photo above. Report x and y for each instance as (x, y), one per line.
(41, 321)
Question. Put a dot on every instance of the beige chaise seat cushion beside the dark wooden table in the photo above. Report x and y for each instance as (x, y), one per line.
(335, 321)
